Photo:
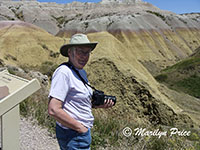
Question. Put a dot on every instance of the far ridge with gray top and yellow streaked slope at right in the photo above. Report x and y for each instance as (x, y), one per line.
(163, 34)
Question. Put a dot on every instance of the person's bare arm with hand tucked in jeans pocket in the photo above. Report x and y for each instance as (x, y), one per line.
(55, 110)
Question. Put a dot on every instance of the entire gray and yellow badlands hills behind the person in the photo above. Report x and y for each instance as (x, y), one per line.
(136, 40)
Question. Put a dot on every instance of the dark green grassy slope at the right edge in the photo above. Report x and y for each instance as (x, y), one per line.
(184, 76)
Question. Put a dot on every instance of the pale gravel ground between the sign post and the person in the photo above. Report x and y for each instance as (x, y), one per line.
(34, 137)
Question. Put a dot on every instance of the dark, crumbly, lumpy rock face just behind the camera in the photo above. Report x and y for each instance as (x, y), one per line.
(134, 100)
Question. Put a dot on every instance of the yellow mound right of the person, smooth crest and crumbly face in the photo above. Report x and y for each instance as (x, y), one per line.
(133, 84)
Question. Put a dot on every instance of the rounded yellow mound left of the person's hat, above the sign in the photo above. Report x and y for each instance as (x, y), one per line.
(23, 43)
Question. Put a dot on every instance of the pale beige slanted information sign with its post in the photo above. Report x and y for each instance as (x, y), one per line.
(13, 90)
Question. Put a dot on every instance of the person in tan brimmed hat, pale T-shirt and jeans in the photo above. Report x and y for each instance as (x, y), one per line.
(70, 99)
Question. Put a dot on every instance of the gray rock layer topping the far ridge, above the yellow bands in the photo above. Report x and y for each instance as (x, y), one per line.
(87, 17)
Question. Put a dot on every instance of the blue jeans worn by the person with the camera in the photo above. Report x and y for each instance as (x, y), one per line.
(69, 139)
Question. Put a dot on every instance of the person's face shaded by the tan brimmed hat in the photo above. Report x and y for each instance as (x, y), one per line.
(80, 56)
